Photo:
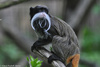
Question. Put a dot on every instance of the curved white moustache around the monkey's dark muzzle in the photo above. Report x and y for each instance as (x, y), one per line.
(41, 15)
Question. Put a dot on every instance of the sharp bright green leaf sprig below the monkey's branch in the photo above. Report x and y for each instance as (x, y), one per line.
(34, 62)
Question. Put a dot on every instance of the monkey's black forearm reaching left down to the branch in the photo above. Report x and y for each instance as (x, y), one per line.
(40, 42)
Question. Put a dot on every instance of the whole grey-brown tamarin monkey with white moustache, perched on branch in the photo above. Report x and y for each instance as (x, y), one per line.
(53, 30)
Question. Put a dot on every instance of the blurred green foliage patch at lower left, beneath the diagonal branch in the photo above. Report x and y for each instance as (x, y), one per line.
(10, 53)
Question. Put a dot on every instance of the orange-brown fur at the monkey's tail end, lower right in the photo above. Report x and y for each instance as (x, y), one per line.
(74, 59)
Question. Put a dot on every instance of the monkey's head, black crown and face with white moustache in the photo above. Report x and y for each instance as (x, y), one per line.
(40, 20)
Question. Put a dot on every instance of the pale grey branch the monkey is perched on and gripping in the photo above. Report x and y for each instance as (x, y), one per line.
(44, 55)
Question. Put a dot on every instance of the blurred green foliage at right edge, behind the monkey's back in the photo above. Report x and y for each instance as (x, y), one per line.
(90, 45)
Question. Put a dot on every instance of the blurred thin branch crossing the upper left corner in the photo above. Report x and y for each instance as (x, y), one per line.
(11, 3)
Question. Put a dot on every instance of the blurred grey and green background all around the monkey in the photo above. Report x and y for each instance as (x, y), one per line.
(17, 36)
